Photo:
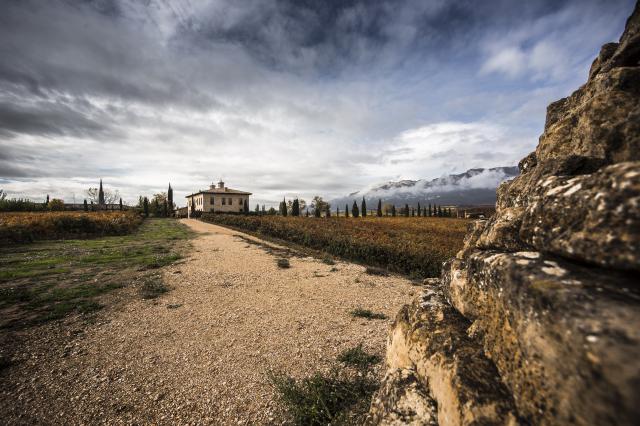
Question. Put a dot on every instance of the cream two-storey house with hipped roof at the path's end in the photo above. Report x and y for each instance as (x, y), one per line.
(219, 199)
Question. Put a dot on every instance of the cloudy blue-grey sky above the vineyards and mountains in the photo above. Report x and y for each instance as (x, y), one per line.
(280, 97)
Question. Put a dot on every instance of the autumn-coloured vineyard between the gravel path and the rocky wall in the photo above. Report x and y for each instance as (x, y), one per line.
(413, 245)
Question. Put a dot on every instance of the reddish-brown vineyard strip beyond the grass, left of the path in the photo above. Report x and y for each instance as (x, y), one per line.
(27, 227)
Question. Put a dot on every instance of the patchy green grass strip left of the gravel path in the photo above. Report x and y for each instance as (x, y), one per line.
(52, 279)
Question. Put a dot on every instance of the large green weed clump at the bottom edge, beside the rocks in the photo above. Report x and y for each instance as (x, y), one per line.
(322, 399)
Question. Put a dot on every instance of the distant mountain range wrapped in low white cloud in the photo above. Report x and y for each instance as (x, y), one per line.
(473, 187)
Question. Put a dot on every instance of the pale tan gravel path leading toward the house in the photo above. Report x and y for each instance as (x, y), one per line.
(200, 353)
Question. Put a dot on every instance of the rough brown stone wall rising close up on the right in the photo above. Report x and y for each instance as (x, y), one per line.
(537, 319)
